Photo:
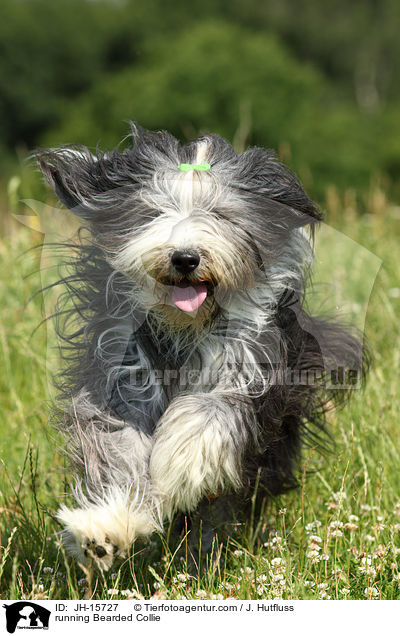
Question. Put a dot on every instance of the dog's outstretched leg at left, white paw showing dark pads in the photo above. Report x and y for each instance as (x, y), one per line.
(114, 497)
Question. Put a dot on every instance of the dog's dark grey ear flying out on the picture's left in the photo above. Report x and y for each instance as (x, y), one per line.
(78, 177)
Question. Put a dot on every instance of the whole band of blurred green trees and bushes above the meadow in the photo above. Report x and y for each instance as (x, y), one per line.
(317, 81)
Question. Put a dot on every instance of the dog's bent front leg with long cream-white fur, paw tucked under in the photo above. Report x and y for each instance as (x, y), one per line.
(198, 449)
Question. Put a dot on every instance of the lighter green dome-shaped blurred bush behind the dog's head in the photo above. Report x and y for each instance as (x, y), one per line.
(244, 86)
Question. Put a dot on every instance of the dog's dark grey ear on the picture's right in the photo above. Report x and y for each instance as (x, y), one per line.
(268, 178)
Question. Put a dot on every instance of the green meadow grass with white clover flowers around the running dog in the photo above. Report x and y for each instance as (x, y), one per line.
(337, 536)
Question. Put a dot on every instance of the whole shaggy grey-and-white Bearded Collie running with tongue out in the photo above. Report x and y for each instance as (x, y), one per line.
(193, 370)
